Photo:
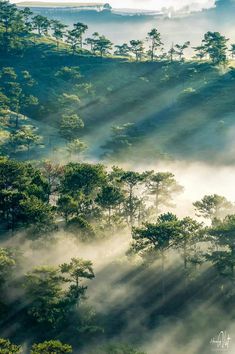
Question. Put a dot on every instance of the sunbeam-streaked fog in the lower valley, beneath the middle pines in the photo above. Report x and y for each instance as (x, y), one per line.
(128, 294)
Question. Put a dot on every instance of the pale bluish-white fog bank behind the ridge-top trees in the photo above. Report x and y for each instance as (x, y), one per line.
(177, 29)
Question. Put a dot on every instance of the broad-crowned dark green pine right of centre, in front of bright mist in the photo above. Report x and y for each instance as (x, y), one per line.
(169, 233)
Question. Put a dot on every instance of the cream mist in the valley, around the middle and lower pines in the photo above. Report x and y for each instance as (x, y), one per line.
(127, 295)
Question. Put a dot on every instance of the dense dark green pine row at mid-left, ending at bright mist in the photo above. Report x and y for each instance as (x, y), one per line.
(83, 193)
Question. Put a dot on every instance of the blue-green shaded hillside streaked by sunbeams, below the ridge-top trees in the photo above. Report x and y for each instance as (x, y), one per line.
(195, 97)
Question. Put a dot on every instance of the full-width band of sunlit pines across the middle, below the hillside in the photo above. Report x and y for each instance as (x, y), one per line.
(94, 201)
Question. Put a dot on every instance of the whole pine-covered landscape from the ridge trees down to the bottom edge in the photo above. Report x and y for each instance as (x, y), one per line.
(96, 255)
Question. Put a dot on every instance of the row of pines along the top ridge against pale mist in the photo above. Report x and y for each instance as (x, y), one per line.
(17, 26)
